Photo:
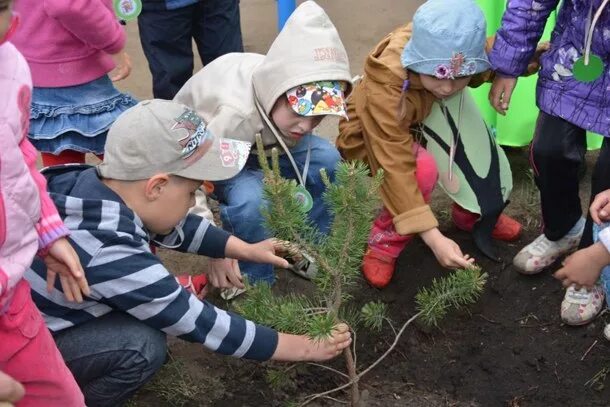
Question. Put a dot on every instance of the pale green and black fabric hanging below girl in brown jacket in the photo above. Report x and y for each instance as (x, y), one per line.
(478, 145)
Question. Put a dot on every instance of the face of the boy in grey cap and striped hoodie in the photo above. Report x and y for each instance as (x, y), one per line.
(171, 204)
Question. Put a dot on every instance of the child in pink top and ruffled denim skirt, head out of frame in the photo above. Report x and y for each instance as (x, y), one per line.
(71, 46)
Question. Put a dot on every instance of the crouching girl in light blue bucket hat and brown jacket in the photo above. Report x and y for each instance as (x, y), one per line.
(437, 55)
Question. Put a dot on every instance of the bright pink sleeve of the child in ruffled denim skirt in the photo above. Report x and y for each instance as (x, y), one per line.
(93, 21)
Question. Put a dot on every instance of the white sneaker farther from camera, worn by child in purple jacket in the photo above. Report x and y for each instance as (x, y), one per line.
(542, 252)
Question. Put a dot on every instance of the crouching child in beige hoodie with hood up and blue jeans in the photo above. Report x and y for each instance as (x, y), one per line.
(282, 95)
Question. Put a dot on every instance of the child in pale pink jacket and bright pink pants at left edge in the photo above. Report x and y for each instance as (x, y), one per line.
(29, 225)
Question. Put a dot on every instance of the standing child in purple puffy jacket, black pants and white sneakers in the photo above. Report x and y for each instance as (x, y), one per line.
(573, 98)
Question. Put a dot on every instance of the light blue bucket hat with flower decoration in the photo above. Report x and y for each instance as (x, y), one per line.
(448, 40)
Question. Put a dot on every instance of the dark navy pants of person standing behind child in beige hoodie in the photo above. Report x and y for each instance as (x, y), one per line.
(166, 37)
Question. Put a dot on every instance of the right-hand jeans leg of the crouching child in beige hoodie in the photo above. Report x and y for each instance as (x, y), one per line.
(323, 155)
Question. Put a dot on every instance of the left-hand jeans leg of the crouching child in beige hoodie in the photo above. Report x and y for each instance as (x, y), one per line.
(241, 198)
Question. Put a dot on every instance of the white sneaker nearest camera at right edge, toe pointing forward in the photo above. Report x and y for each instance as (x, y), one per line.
(579, 307)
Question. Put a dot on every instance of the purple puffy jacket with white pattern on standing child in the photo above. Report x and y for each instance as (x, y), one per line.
(586, 105)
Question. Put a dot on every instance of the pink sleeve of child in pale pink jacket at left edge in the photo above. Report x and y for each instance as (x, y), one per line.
(50, 226)
